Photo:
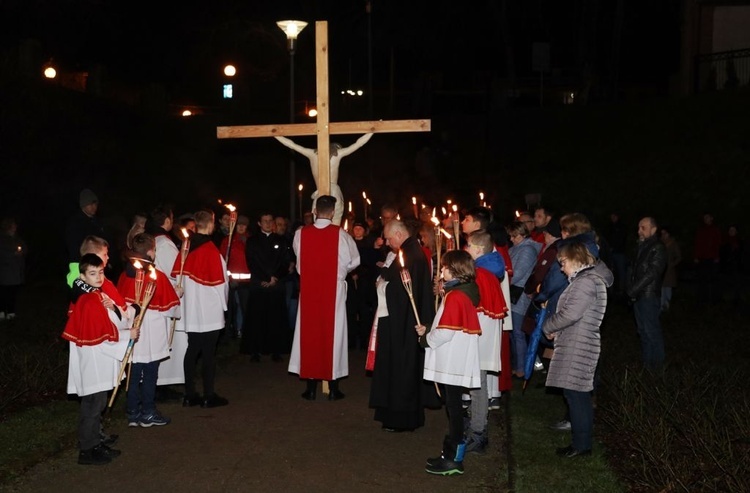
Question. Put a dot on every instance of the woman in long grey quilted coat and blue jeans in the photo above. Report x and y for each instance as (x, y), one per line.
(575, 330)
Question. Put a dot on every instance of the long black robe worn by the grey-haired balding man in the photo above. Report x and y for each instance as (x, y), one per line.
(398, 393)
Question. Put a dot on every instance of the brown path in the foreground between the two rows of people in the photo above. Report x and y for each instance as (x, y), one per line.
(271, 440)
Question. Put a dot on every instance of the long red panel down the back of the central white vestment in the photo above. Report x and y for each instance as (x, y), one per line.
(319, 254)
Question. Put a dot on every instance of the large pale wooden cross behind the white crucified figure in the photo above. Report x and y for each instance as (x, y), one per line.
(322, 128)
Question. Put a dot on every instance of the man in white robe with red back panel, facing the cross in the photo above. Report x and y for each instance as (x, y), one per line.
(325, 255)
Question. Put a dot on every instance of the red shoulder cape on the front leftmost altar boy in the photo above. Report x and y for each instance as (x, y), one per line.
(89, 323)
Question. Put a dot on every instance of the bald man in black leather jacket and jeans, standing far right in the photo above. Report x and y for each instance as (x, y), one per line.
(645, 290)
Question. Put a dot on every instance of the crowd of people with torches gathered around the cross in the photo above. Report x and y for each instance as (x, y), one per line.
(444, 312)
